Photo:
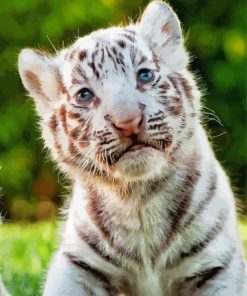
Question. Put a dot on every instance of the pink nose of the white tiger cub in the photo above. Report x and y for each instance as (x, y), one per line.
(129, 127)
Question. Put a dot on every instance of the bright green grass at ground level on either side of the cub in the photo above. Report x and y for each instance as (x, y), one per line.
(25, 252)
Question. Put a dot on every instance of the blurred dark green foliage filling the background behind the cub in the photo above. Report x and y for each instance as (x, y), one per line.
(216, 39)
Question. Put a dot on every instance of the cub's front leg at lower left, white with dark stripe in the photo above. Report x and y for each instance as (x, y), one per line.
(69, 276)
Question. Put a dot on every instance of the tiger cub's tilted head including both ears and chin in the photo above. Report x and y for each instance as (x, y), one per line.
(118, 103)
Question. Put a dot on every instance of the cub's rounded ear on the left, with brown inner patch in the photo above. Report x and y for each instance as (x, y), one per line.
(41, 78)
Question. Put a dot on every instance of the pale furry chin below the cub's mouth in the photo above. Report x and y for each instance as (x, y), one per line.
(141, 165)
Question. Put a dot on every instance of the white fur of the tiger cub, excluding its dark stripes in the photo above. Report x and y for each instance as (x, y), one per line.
(142, 219)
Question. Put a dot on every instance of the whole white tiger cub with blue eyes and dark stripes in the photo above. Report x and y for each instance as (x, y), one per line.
(152, 212)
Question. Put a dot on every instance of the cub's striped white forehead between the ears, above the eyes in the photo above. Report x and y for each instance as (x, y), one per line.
(107, 52)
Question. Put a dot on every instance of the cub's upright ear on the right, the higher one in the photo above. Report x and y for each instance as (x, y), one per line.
(160, 27)
